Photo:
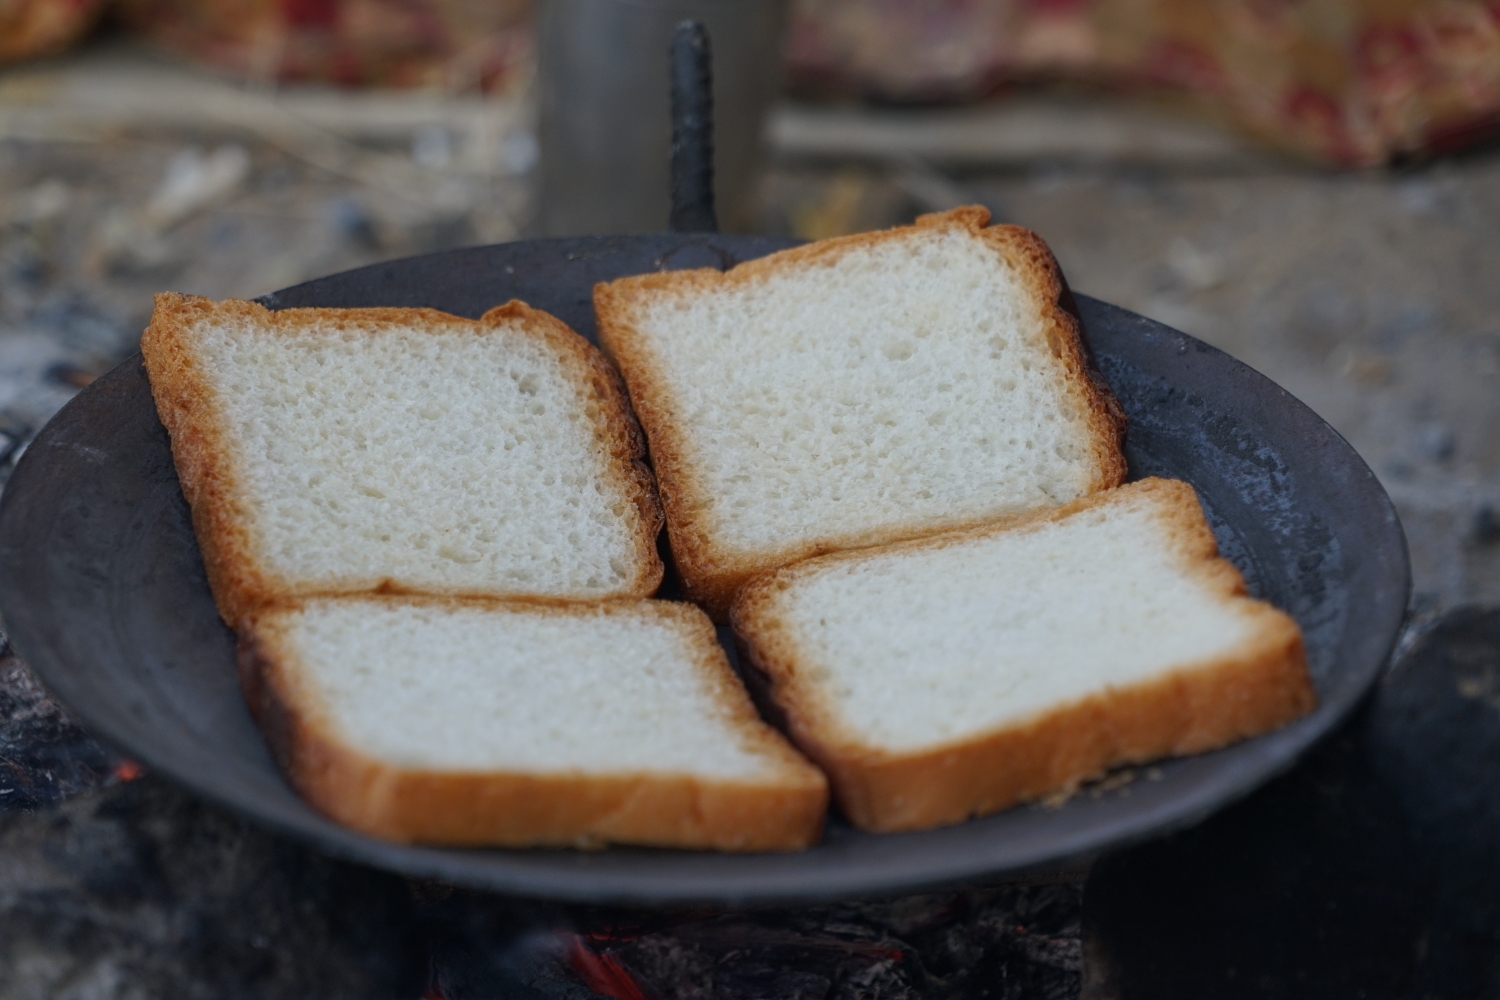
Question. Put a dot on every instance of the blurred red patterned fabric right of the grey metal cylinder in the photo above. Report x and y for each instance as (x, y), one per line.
(1351, 83)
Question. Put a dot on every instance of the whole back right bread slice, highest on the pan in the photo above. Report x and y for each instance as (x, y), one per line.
(857, 392)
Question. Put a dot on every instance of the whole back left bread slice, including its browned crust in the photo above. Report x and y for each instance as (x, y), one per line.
(401, 451)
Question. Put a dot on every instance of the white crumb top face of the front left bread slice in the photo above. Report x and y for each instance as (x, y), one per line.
(470, 689)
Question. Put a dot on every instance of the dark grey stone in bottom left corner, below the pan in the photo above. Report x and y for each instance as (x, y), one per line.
(137, 891)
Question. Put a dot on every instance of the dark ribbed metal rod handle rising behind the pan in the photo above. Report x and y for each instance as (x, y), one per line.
(692, 131)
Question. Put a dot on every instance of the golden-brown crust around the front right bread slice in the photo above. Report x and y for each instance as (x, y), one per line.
(1199, 707)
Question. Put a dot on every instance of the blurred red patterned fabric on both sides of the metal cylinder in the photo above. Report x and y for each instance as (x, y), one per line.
(1351, 83)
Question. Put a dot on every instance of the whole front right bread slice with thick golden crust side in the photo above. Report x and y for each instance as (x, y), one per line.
(958, 675)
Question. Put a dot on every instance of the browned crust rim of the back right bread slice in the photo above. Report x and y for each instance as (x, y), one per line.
(715, 576)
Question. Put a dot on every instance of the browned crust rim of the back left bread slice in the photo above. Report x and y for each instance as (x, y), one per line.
(212, 481)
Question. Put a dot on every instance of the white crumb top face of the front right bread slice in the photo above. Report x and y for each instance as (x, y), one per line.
(935, 644)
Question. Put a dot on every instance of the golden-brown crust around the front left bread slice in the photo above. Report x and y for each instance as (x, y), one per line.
(520, 809)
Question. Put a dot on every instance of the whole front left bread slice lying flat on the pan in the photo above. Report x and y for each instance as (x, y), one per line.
(470, 723)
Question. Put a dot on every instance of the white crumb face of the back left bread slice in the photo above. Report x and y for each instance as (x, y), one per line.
(449, 460)
